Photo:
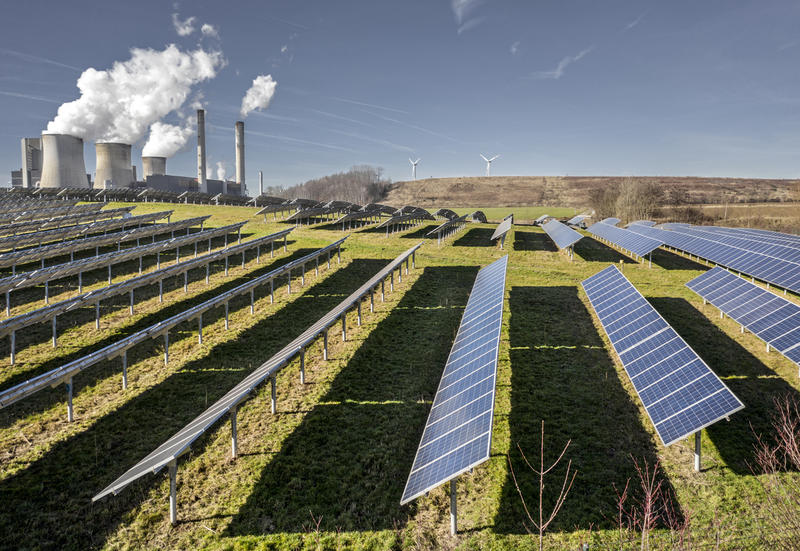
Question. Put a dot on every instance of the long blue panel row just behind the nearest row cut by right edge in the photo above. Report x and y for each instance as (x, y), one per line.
(774, 264)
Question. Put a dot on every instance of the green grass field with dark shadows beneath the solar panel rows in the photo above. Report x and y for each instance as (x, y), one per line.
(328, 469)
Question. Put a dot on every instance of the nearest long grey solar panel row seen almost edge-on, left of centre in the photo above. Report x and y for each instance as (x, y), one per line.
(179, 443)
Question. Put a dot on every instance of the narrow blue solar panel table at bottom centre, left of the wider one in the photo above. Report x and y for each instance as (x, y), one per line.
(458, 433)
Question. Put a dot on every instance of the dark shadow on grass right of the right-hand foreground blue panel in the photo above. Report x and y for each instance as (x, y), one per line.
(747, 377)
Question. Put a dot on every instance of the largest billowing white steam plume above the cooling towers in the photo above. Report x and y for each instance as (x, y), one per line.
(119, 104)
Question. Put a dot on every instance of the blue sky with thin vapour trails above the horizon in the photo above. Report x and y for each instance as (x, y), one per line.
(708, 88)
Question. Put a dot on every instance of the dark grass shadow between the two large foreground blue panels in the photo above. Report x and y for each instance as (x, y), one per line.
(561, 373)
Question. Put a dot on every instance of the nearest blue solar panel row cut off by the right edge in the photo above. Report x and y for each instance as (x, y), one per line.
(773, 319)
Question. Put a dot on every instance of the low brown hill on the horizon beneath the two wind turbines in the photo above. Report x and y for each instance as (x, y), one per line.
(573, 191)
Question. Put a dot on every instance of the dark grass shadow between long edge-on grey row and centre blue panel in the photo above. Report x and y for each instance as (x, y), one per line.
(349, 458)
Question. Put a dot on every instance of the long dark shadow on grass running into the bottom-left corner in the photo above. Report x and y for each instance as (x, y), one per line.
(48, 503)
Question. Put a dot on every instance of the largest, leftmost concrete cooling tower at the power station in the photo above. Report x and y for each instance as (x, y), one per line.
(62, 161)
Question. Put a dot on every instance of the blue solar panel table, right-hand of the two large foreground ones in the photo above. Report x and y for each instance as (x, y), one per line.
(678, 390)
